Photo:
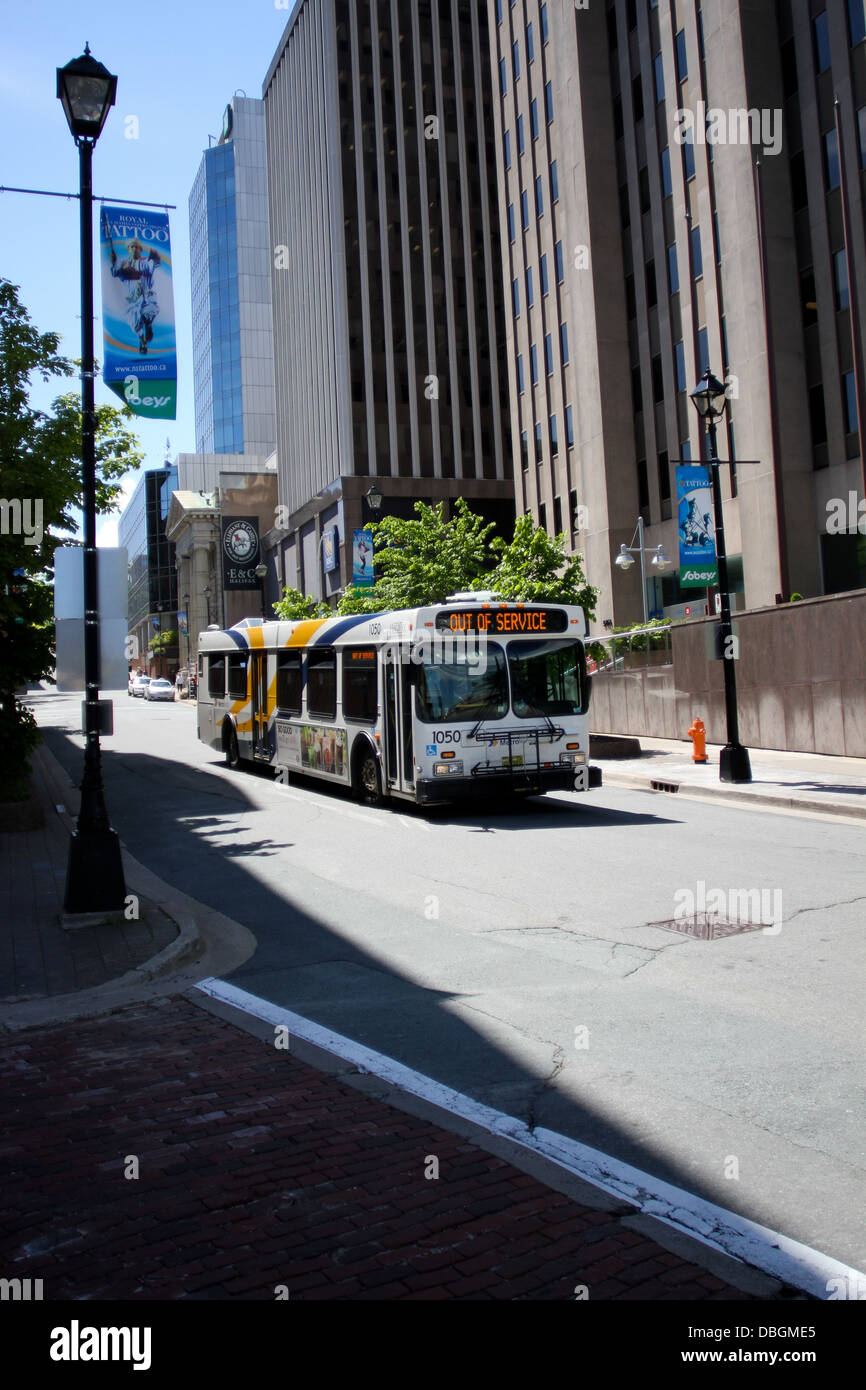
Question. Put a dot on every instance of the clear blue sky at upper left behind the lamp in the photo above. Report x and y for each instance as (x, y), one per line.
(177, 67)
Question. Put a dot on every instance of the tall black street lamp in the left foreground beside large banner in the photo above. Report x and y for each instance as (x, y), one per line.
(95, 871)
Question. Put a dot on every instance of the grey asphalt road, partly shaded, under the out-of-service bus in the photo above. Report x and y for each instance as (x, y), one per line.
(511, 953)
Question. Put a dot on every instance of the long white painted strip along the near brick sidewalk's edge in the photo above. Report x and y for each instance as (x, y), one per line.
(715, 1227)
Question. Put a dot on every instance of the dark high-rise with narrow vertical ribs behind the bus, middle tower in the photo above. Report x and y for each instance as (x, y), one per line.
(387, 284)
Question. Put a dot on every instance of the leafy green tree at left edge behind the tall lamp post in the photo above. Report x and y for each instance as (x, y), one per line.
(41, 486)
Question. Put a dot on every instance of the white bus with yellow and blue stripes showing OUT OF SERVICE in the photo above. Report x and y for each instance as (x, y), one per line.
(471, 697)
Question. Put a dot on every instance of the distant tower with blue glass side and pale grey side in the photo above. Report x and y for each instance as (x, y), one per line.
(231, 290)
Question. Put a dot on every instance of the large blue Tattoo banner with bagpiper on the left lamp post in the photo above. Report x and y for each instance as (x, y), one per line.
(140, 348)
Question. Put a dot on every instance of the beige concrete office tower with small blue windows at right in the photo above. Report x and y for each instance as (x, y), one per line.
(682, 191)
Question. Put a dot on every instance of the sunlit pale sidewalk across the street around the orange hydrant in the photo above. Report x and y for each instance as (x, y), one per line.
(792, 782)
